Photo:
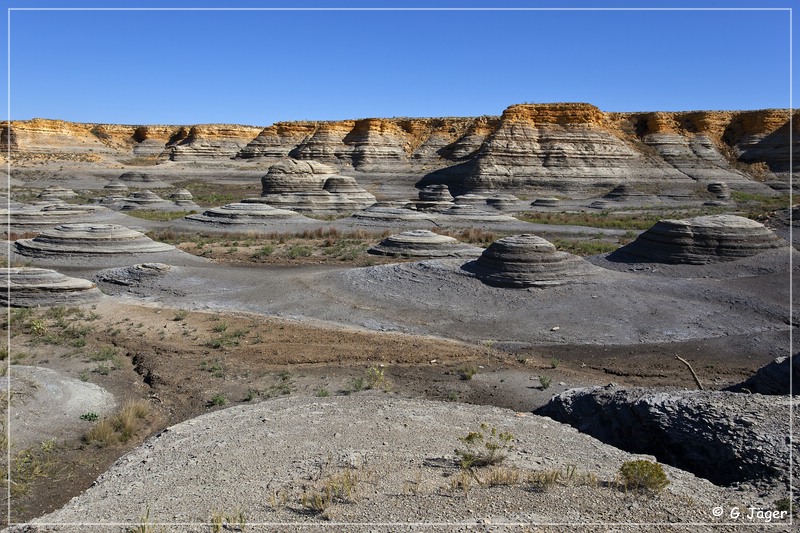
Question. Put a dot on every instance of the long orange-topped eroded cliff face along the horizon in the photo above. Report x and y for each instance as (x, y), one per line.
(565, 146)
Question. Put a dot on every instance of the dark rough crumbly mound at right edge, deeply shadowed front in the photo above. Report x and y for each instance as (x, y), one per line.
(722, 436)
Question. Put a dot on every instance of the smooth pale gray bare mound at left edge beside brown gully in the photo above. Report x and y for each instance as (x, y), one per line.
(47, 405)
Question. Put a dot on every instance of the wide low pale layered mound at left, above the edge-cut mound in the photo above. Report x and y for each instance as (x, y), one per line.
(89, 239)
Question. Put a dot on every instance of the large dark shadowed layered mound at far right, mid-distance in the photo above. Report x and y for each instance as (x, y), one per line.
(700, 240)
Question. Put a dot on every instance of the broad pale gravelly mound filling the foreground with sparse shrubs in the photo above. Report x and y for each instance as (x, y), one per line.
(260, 459)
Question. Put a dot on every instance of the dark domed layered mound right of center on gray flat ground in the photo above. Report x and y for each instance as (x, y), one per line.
(527, 261)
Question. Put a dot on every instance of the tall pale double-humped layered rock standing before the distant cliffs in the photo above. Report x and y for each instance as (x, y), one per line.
(312, 187)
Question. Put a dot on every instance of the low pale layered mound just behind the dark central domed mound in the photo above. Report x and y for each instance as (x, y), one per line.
(424, 243)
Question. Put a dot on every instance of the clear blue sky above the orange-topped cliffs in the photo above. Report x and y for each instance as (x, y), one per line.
(259, 67)
